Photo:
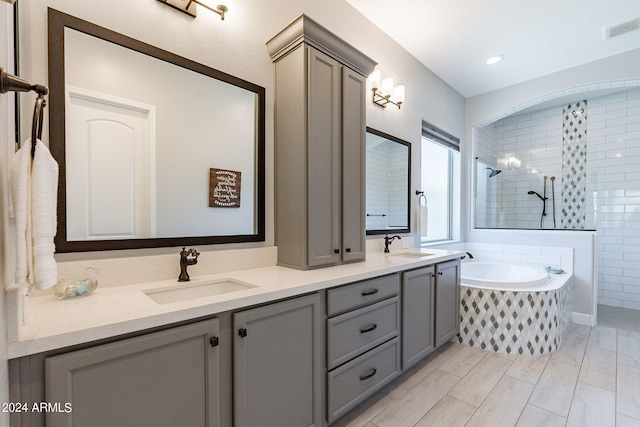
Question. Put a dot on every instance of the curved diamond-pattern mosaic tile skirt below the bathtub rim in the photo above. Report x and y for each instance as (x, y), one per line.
(515, 322)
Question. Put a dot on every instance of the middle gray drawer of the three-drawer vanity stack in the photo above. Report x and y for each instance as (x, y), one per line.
(355, 332)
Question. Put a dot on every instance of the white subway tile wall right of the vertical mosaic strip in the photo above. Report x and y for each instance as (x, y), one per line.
(613, 186)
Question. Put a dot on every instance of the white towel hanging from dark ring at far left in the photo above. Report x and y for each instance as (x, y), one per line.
(34, 187)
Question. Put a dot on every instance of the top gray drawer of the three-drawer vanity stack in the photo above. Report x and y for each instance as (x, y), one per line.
(358, 294)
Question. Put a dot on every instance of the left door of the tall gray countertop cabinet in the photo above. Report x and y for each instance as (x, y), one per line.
(323, 160)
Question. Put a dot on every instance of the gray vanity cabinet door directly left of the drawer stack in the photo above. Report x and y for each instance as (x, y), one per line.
(278, 358)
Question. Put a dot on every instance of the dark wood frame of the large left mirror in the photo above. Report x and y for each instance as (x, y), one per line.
(58, 21)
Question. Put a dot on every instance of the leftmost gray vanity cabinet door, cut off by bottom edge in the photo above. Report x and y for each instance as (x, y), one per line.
(167, 378)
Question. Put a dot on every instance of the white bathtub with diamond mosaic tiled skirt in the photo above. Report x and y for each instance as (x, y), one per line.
(513, 309)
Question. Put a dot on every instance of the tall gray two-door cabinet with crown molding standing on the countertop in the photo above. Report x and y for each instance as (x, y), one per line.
(319, 146)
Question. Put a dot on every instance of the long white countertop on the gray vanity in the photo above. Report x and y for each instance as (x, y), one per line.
(111, 311)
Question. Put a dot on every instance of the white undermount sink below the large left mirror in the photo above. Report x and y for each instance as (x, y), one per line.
(188, 291)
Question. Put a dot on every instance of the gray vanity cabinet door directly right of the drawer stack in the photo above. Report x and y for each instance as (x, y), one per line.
(417, 315)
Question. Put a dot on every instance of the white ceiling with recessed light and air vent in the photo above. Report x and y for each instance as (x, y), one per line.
(453, 38)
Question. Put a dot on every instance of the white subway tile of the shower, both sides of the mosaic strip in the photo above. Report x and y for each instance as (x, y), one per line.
(613, 182)
